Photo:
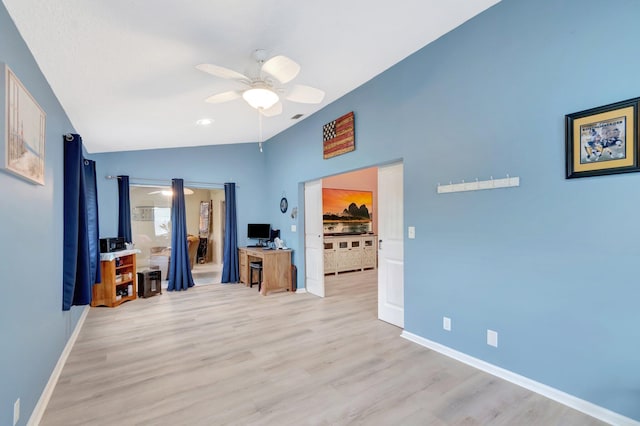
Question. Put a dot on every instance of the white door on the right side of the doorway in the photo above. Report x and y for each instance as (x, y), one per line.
(391, 245)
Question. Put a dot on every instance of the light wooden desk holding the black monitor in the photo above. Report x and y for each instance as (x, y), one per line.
(276, 267)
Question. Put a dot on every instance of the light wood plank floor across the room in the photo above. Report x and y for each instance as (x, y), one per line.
(223, 354)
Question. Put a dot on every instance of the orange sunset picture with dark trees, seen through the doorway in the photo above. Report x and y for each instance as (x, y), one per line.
(347, 211)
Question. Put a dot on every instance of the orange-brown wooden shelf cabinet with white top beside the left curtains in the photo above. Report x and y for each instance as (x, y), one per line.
(118, 277)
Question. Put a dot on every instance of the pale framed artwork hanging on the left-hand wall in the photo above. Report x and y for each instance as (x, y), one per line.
(23, 152)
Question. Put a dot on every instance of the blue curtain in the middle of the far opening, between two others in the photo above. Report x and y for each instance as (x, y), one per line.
(180, 277)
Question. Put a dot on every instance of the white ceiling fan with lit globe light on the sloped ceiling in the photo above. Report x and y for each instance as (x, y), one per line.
(263, 90)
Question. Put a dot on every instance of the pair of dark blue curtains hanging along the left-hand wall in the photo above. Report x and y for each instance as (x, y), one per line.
(80, 266)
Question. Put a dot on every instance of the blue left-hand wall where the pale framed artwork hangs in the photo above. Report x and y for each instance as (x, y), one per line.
(33, 328)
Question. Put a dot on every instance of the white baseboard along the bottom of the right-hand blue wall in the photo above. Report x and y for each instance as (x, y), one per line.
(586, 407)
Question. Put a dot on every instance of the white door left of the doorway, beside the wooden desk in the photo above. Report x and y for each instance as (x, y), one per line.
(313, 237)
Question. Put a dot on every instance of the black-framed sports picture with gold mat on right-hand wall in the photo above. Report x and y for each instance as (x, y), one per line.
(603, 140)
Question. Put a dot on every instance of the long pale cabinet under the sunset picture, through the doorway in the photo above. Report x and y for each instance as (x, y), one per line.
(349, 253)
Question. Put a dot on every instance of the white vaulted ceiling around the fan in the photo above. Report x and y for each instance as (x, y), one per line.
(124, 72)
